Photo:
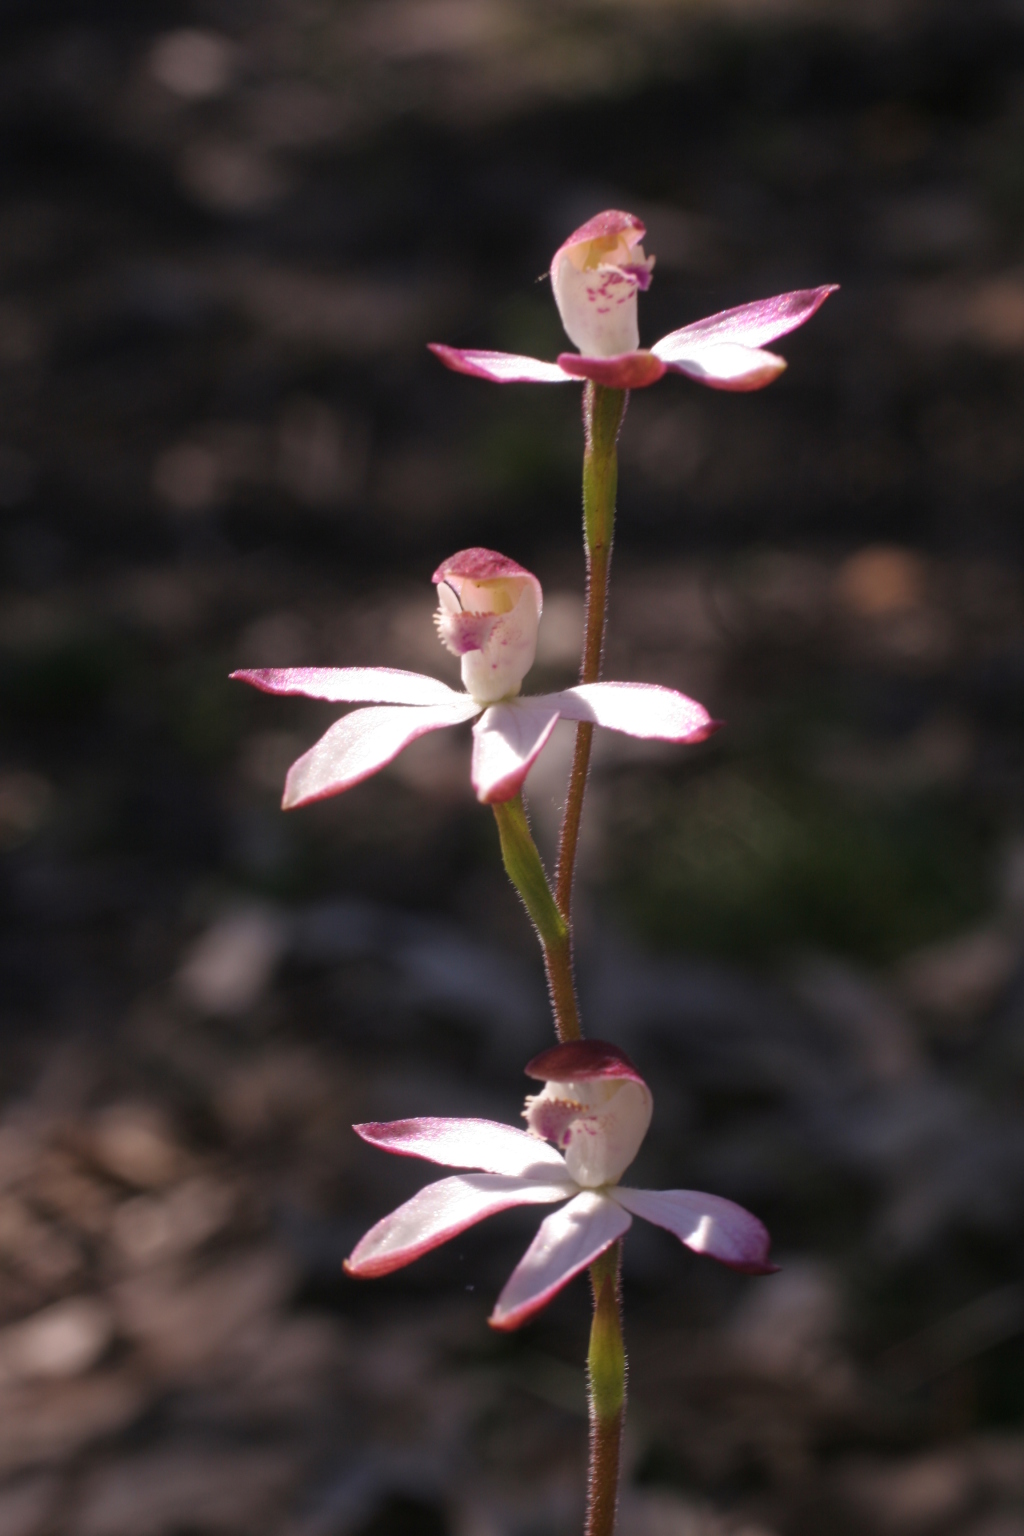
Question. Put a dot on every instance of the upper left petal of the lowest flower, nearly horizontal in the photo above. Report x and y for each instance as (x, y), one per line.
(486, 1145)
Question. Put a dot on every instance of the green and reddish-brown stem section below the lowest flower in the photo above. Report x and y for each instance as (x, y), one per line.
(607, 1377)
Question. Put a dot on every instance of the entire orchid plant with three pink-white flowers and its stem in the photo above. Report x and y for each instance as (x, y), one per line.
(586, 1127)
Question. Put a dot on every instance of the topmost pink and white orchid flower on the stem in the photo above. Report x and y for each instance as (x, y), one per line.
(596, 277)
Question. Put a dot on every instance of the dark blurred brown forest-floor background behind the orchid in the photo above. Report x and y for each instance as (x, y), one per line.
(228, 231)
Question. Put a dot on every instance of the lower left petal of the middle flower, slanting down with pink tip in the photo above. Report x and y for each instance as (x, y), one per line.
(365, 743)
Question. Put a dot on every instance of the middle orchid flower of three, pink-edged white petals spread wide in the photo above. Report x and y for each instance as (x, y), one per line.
(491, 611)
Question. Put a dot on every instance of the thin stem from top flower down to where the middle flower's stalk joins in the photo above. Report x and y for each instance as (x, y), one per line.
(604, 411)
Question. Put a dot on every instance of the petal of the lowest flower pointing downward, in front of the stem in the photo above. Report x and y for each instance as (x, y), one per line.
(567, 1242)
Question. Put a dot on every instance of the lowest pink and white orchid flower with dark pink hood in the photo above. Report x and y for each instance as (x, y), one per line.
(595, 1110)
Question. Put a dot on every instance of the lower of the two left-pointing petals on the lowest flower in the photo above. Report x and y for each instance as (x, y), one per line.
(440, 1213)
